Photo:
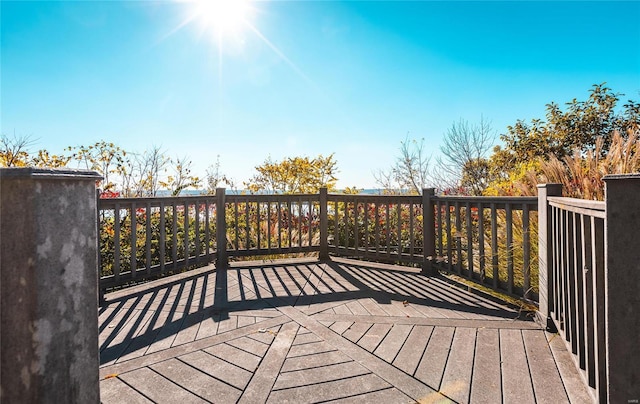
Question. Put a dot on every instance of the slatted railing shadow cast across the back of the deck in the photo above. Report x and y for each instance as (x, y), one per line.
(334, 282)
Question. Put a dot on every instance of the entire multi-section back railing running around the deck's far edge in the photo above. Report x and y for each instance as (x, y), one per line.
(483, 239)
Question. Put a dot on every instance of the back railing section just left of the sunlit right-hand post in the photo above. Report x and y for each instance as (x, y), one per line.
(489, 240)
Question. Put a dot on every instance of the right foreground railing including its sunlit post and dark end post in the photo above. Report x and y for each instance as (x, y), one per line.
(589, 255)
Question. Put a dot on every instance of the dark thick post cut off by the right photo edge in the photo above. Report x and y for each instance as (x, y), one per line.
(622, 280)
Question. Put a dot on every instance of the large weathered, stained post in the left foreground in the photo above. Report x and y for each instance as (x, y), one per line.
(48, 286)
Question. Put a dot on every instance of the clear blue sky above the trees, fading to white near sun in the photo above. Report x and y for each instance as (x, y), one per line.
(300, 77)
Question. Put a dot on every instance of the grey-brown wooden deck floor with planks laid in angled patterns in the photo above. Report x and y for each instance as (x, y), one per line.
(303, 331)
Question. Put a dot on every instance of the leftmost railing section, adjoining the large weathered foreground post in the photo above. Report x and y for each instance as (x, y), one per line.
(146, 237)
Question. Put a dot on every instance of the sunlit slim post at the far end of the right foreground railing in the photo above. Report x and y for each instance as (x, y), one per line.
(545, 253)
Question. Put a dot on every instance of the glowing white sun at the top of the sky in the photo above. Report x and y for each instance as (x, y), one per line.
(221, 16)
